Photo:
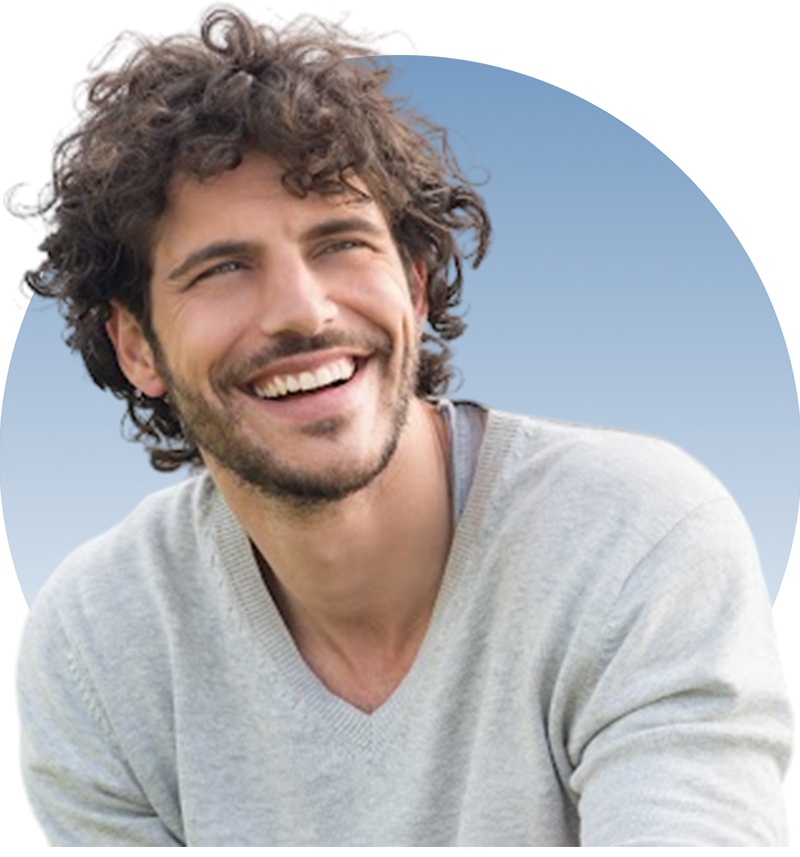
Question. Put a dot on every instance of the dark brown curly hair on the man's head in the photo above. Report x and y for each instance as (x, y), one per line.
(197, 108)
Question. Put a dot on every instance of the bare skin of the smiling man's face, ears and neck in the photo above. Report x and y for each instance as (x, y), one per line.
(349, 516)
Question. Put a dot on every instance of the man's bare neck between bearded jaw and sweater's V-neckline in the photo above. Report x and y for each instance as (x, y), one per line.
(366, 576)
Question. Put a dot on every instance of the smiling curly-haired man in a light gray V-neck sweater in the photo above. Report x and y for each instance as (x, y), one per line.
(379, 617)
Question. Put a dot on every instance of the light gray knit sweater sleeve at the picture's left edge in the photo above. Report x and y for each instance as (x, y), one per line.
(76, 780)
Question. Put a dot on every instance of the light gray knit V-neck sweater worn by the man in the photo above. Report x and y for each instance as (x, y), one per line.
(601, 670)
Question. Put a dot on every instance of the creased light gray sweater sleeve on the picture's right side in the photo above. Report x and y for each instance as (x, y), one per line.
(683, 729)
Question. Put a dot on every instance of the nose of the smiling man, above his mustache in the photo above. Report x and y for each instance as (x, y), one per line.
(295, 299)
